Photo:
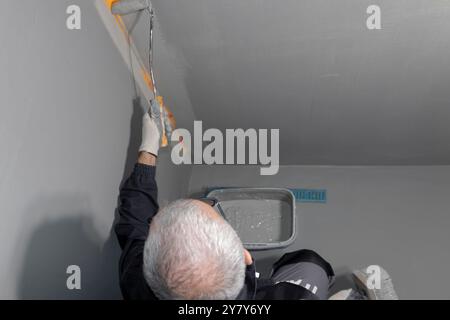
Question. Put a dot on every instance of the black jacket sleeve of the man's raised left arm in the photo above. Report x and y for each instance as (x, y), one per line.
(137, 206)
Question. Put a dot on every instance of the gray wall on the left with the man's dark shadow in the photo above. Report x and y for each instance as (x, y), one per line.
(69, 133)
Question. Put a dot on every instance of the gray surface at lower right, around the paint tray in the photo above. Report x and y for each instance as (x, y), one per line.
(397, 217)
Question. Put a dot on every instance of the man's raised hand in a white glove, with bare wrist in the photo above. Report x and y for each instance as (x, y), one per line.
(148, 151)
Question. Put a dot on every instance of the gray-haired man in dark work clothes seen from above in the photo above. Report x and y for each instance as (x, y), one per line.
(186, 250)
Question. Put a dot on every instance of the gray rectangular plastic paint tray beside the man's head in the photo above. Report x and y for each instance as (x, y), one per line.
(264, 218)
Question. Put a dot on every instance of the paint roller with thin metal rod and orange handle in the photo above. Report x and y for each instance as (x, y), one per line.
(159, 111)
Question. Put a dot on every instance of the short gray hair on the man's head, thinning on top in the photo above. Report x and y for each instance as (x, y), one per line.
(191, 255)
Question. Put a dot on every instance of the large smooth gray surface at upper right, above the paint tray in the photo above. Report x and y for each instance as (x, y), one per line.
(339, 93)
